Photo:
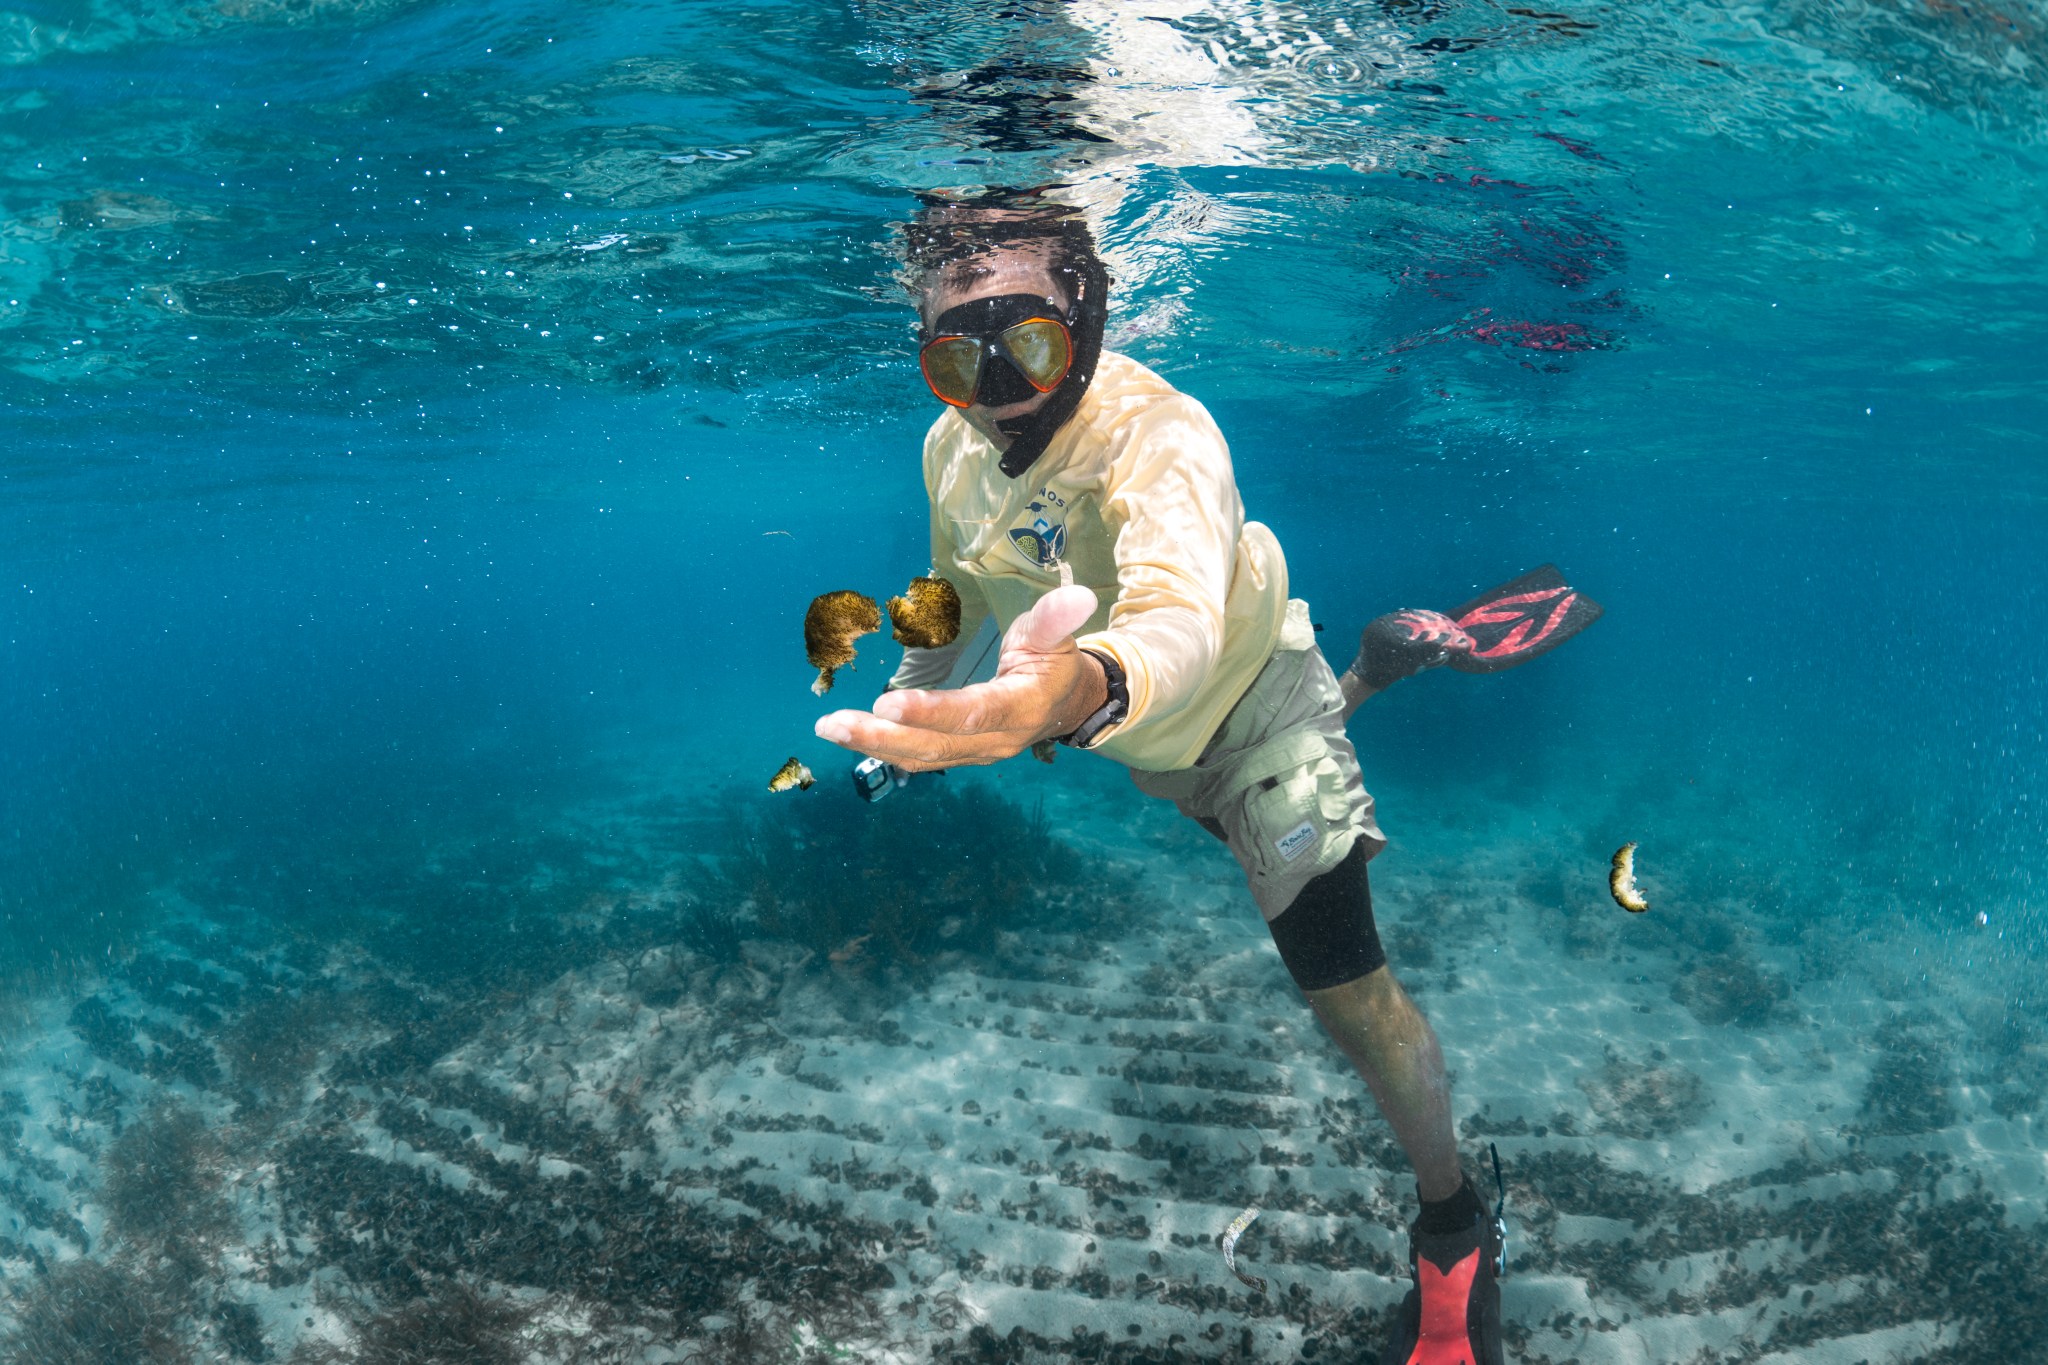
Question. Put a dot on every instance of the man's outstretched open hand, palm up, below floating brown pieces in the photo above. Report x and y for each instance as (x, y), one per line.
(1043, 687)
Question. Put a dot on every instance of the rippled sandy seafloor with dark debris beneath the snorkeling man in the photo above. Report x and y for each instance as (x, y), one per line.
(1732, 1131)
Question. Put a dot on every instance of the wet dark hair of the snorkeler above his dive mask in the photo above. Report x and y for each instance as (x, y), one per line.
(955, 236)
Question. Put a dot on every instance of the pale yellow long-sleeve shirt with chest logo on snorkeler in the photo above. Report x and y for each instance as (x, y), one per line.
(1136, 494)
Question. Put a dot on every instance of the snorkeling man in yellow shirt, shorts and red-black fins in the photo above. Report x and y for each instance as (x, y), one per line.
(1076, 492)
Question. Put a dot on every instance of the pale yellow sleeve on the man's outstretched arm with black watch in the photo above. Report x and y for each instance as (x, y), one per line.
(1172, 502)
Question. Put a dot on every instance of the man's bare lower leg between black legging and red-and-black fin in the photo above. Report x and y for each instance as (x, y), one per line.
(1400, 1059)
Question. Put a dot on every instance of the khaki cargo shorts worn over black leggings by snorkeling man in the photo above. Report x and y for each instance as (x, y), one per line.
(1279, 781)
